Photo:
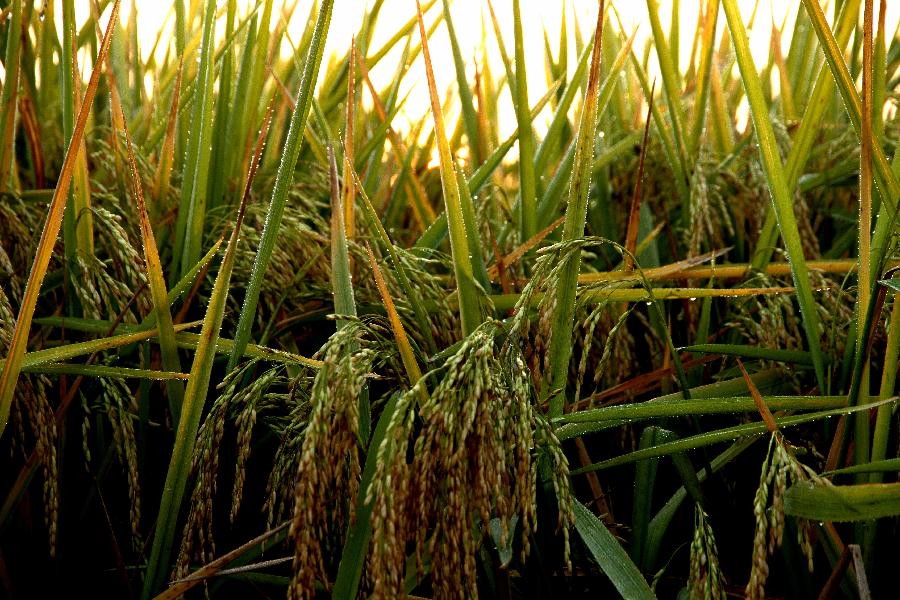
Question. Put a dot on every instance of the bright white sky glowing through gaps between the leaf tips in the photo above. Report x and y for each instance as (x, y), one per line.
(468, 16)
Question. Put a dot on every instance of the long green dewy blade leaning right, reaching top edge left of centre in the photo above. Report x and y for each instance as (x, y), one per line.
(283, 181)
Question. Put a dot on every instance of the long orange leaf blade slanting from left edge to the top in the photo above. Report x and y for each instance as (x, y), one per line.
(12, 366)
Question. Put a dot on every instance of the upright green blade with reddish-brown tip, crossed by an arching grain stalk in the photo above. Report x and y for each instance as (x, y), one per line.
(576, 214)
